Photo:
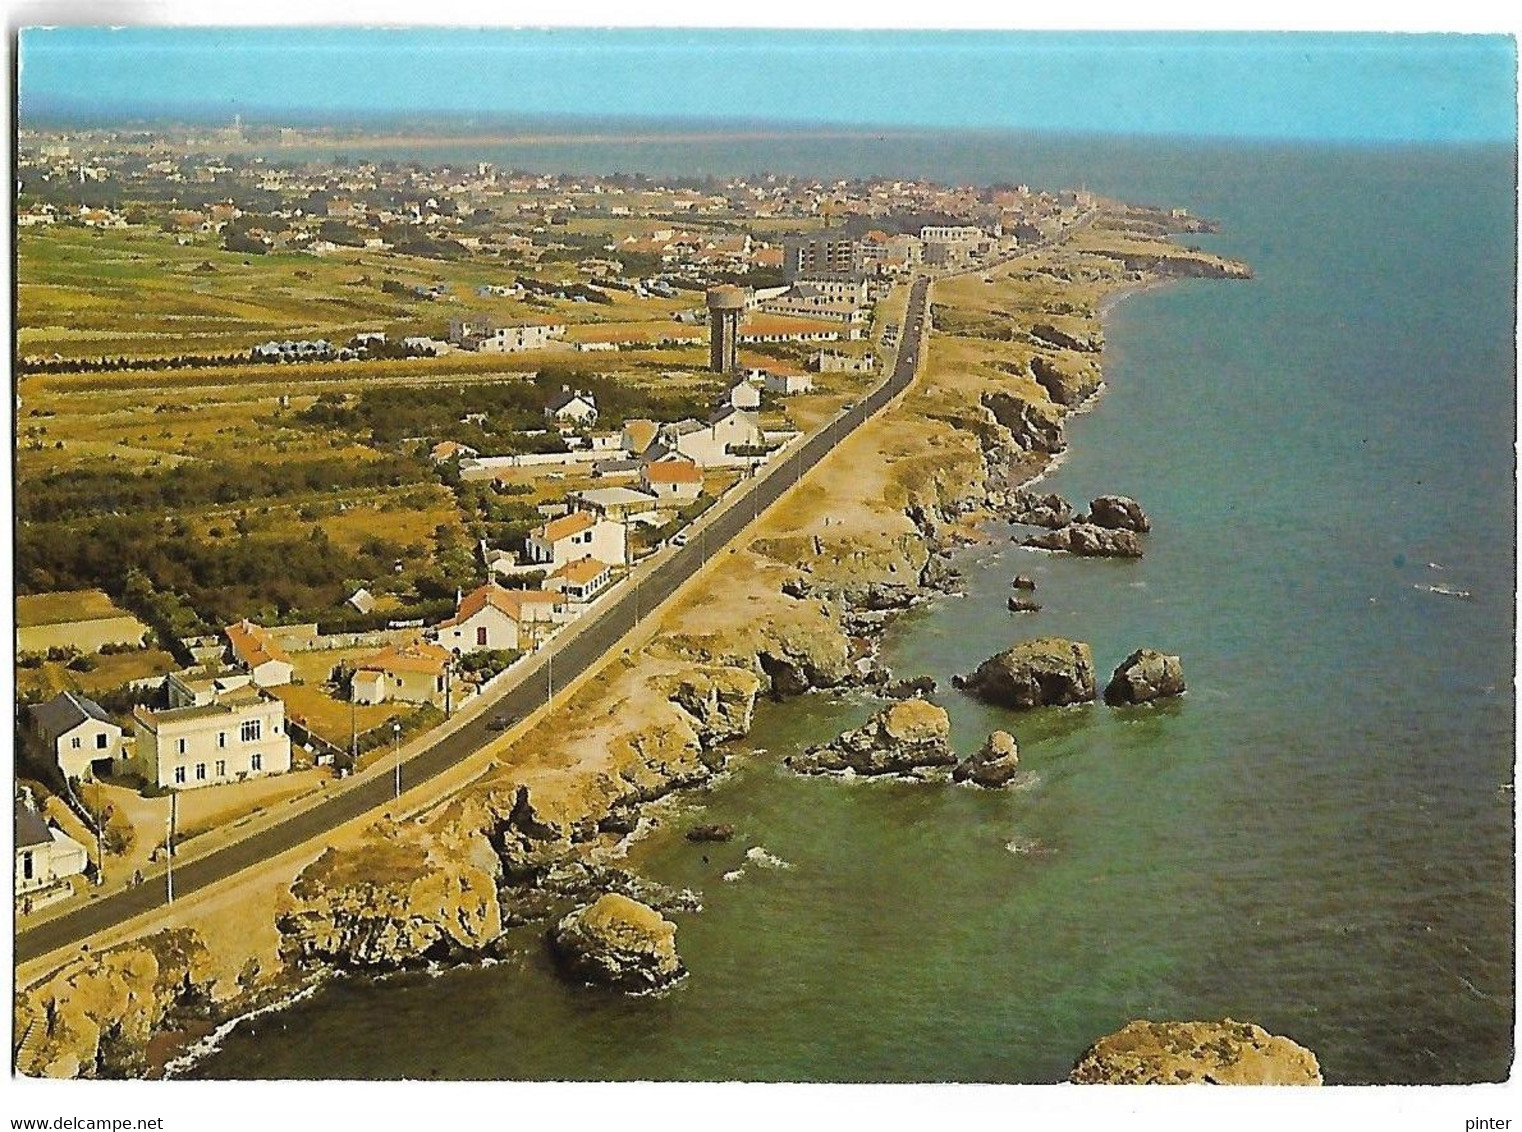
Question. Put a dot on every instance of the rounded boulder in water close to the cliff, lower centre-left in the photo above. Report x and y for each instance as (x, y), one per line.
(619, 944)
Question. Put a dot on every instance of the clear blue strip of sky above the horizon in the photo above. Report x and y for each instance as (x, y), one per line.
(1363, 87)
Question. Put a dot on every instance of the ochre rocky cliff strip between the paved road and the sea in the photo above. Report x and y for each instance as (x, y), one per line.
(798, 605)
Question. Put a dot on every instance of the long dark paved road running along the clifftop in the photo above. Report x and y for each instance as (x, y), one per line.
(570, 660)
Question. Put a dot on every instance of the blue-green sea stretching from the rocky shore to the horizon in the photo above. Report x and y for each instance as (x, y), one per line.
(1319, 838)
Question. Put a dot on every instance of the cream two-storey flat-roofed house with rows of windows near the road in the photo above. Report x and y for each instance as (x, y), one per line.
(235, 737)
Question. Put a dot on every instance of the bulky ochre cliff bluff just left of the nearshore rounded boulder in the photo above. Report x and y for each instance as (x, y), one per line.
(395, 905)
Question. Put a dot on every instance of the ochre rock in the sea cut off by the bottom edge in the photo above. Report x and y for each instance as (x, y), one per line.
(1185, 1054)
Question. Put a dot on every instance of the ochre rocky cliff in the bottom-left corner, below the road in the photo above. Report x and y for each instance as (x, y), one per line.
(95, 1017)
